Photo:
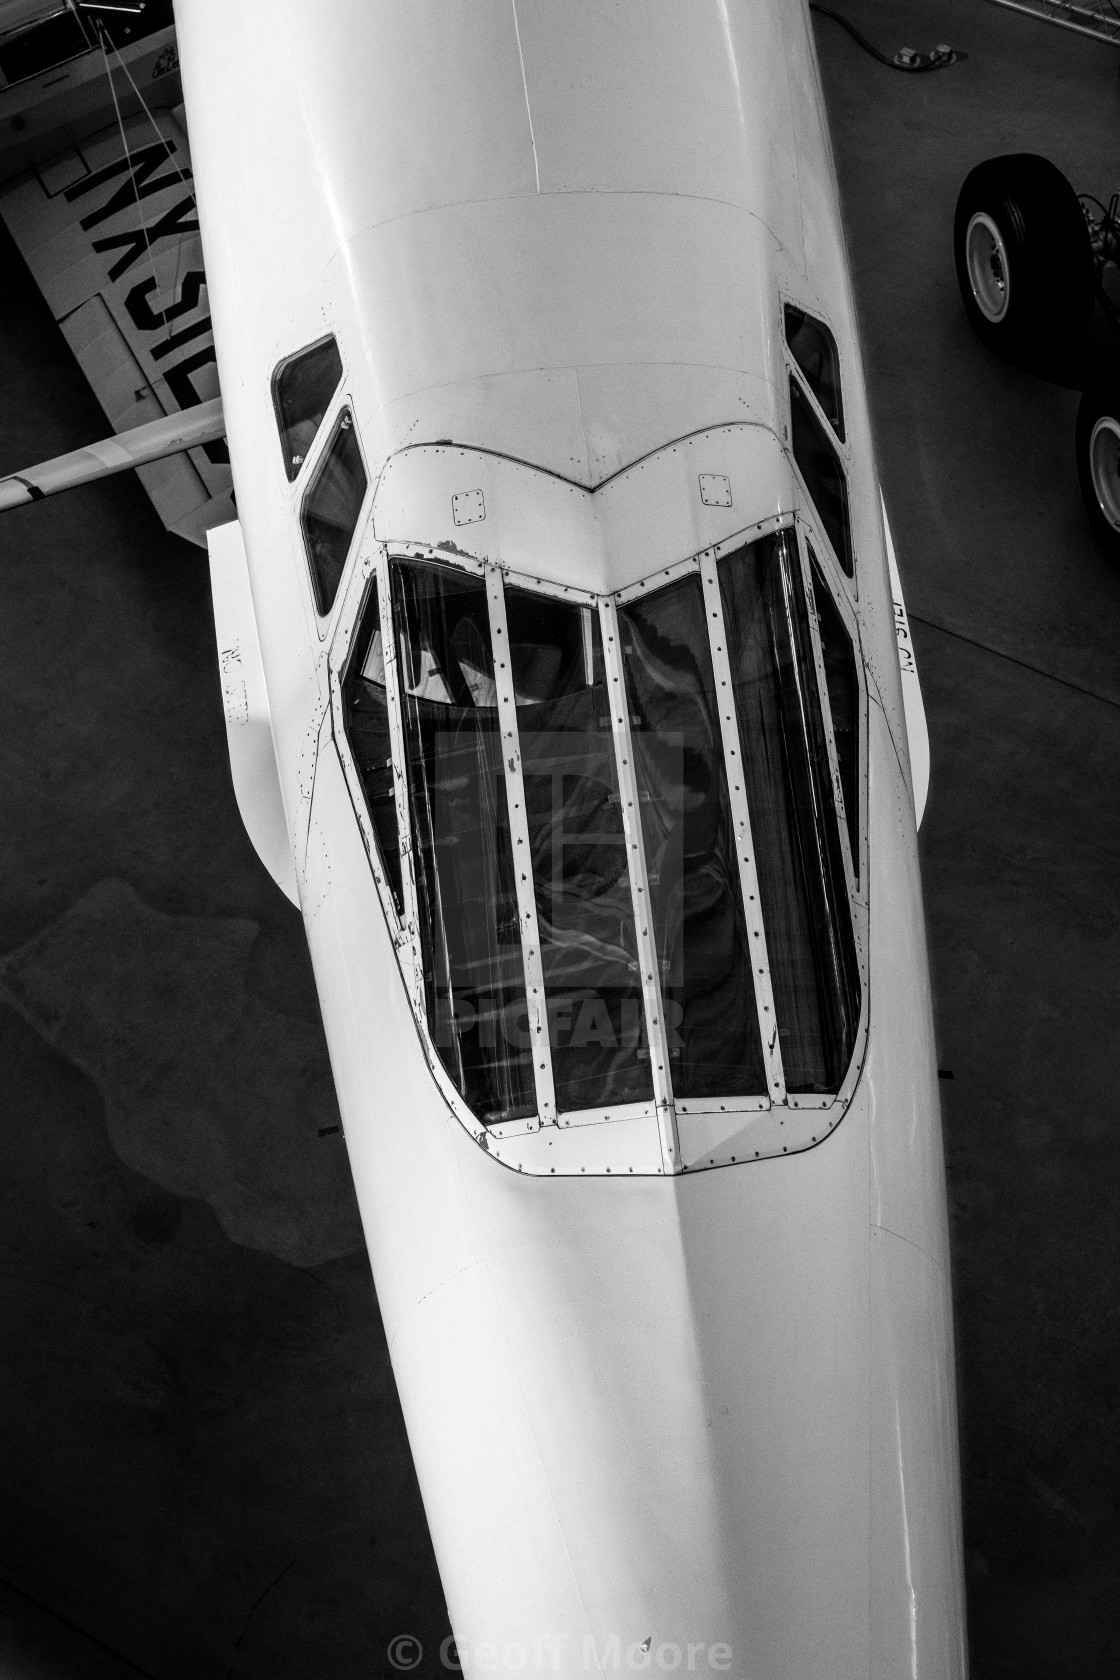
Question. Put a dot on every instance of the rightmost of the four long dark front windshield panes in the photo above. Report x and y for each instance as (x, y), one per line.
(797, 843)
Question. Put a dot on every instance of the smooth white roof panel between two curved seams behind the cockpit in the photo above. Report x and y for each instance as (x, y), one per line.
(609, 305)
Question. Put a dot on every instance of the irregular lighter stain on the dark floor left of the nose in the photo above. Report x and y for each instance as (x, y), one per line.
(157, 1012)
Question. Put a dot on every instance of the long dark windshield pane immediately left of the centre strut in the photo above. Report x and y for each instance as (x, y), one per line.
(585, 910)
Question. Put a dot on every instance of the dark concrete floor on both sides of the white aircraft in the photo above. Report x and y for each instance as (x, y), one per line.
(204, 1469)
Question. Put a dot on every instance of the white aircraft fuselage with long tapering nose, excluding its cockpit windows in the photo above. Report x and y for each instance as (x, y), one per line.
(698, 1409)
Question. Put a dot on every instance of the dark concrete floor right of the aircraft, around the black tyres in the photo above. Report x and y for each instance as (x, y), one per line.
(1017, 627)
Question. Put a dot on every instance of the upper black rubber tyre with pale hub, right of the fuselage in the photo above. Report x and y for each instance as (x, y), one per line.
(1025, 260)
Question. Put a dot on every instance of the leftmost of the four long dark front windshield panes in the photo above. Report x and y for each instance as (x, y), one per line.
(468, 903)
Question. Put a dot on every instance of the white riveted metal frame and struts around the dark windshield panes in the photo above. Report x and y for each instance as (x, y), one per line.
(607, 1140)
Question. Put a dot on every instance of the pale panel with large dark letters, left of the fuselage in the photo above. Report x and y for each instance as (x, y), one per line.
(133, 312)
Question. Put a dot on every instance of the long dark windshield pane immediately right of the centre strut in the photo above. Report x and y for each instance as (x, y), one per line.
(691, 851)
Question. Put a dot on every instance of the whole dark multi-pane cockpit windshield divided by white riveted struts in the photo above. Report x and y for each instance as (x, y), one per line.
(632, 829)
